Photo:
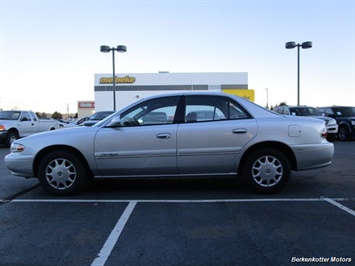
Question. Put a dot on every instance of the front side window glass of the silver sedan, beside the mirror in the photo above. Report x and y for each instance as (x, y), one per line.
(154, 112)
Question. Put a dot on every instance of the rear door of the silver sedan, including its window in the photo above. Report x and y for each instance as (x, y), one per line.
(214, 132)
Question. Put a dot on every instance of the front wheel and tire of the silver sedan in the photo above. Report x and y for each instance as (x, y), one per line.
(61, 173)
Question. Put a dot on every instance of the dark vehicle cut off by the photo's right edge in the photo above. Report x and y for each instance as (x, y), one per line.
(345, 117)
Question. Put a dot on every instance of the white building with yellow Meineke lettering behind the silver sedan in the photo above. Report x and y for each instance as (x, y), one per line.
(130, 87)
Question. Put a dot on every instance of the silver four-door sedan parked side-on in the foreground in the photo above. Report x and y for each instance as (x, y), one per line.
(139, 142)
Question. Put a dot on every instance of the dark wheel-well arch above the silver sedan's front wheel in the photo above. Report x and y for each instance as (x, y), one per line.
(47, 150)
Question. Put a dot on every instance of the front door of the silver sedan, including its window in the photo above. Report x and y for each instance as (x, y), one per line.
(145, 143)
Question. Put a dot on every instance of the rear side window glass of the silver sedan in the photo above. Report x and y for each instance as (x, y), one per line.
(212, 108)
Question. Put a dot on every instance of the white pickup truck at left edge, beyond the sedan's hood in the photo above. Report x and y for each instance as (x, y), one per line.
(18, 124)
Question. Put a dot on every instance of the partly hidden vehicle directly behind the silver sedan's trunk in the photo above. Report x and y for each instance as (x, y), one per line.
(330, 123)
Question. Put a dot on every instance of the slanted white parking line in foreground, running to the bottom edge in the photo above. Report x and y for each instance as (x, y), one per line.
(115, 234)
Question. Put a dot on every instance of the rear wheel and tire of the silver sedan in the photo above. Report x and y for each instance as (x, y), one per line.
(267, 171)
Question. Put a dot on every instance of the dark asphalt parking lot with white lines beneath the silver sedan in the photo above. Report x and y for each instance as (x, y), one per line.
(183, 222)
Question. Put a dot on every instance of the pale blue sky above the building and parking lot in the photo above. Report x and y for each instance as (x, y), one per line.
(50, 50)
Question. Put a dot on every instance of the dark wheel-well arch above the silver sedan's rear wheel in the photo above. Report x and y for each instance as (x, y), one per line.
(286, 150)
